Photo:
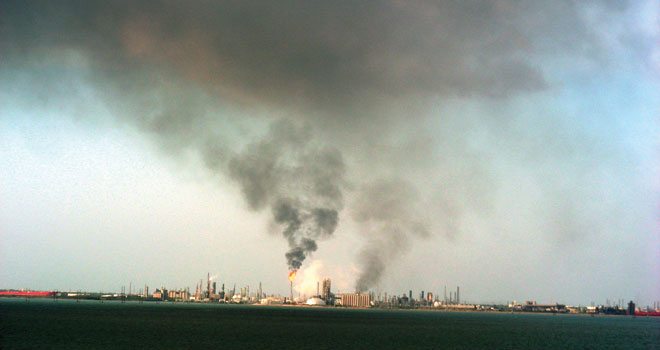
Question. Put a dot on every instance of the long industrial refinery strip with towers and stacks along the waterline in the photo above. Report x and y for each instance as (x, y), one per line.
(208, 292)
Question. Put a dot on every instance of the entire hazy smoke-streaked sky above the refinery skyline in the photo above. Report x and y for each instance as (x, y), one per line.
(506, 147)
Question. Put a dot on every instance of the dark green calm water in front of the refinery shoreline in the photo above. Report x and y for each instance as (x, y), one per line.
(92, 324)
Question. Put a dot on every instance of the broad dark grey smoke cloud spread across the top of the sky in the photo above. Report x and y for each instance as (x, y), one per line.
(330, 55)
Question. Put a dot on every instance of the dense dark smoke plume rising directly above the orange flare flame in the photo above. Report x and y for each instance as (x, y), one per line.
(300, 182)
